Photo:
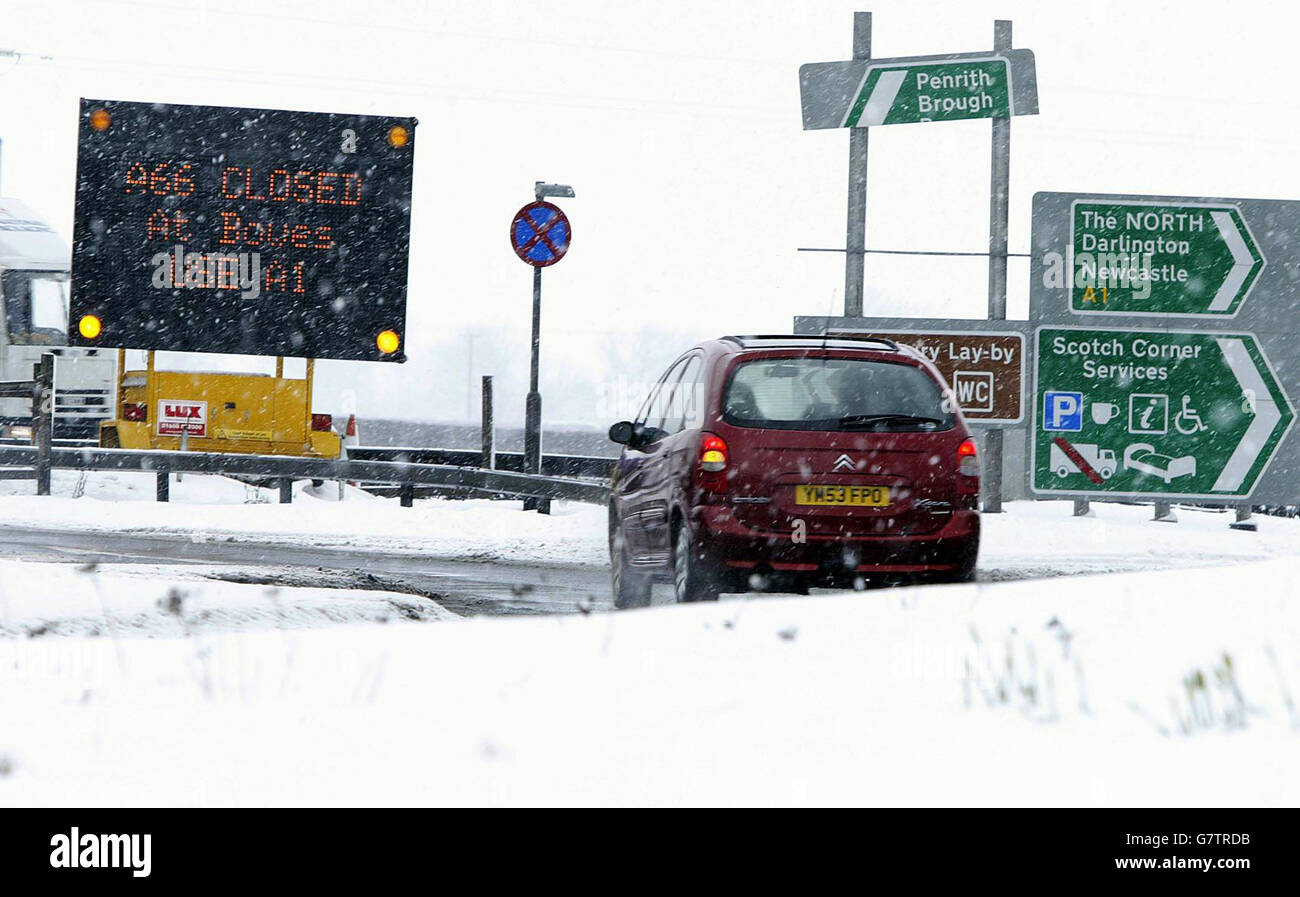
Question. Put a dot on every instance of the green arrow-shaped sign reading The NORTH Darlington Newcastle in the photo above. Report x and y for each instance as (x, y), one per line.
(1160, 259)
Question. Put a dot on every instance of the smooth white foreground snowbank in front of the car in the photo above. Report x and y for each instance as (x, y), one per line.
(1126, 690)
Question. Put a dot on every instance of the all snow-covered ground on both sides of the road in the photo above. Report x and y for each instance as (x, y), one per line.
(1173, 684)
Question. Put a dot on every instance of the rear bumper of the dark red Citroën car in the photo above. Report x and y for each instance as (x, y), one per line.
(739, 547)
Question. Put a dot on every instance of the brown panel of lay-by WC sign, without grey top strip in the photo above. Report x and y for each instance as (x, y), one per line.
(986, 371)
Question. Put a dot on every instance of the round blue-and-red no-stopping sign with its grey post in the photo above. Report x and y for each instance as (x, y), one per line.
(540, 236)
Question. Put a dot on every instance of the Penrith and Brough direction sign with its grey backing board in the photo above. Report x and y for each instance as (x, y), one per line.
(920, 89)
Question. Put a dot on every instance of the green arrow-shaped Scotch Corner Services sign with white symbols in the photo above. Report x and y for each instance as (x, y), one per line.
(1154, 414)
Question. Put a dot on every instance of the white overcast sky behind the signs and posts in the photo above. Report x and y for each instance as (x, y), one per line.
(679, 127)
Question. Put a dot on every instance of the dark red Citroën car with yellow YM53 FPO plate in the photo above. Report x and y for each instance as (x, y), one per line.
(794, 462)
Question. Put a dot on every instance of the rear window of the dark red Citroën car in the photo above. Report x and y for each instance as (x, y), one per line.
(835, 395)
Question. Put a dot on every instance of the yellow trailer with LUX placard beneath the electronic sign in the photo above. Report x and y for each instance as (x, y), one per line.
(231, 413)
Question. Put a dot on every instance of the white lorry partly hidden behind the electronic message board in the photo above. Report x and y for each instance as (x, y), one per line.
(34, 272)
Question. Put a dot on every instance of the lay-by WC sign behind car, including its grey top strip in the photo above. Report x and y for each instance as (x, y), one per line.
(983, 362)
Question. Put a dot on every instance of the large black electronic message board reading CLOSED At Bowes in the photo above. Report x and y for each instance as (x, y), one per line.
(254, 232)
